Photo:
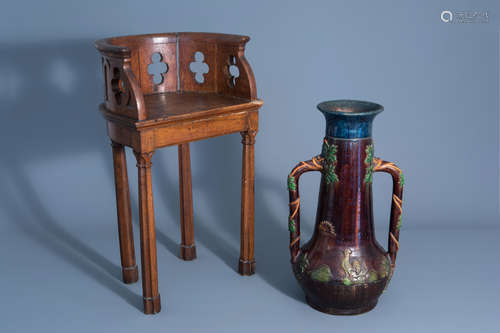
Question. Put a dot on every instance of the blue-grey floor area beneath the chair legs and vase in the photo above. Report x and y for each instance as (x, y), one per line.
(58, 279)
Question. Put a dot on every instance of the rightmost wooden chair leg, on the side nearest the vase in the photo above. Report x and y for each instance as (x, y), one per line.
(246, 264)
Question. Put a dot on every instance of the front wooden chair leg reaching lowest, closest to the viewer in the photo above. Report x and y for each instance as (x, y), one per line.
(151, 296)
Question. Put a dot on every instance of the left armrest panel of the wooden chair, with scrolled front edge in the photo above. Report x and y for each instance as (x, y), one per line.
(122, 92)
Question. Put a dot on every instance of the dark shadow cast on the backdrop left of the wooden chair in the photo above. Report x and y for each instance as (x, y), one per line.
(49, 94)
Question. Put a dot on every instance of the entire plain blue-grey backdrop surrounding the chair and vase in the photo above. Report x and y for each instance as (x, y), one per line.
(439, 83)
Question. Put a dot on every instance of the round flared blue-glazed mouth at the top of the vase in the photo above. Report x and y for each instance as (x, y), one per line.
(350, 107)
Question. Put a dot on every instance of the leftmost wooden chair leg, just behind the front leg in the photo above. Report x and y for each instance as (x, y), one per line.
(125, 233)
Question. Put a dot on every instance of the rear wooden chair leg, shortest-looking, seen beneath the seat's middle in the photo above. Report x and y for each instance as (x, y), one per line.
(187, 247)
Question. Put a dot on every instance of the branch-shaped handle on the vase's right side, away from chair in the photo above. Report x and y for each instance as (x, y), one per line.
(380, 165)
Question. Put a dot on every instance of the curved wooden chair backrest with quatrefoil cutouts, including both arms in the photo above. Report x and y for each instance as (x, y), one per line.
(140, 65)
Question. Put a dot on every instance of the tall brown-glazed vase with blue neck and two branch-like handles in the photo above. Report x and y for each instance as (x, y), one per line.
(342, 269)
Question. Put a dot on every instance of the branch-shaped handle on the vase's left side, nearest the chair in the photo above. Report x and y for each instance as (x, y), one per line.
(314, 164)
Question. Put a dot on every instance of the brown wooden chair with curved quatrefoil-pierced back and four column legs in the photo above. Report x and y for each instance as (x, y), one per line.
(171, 89)
